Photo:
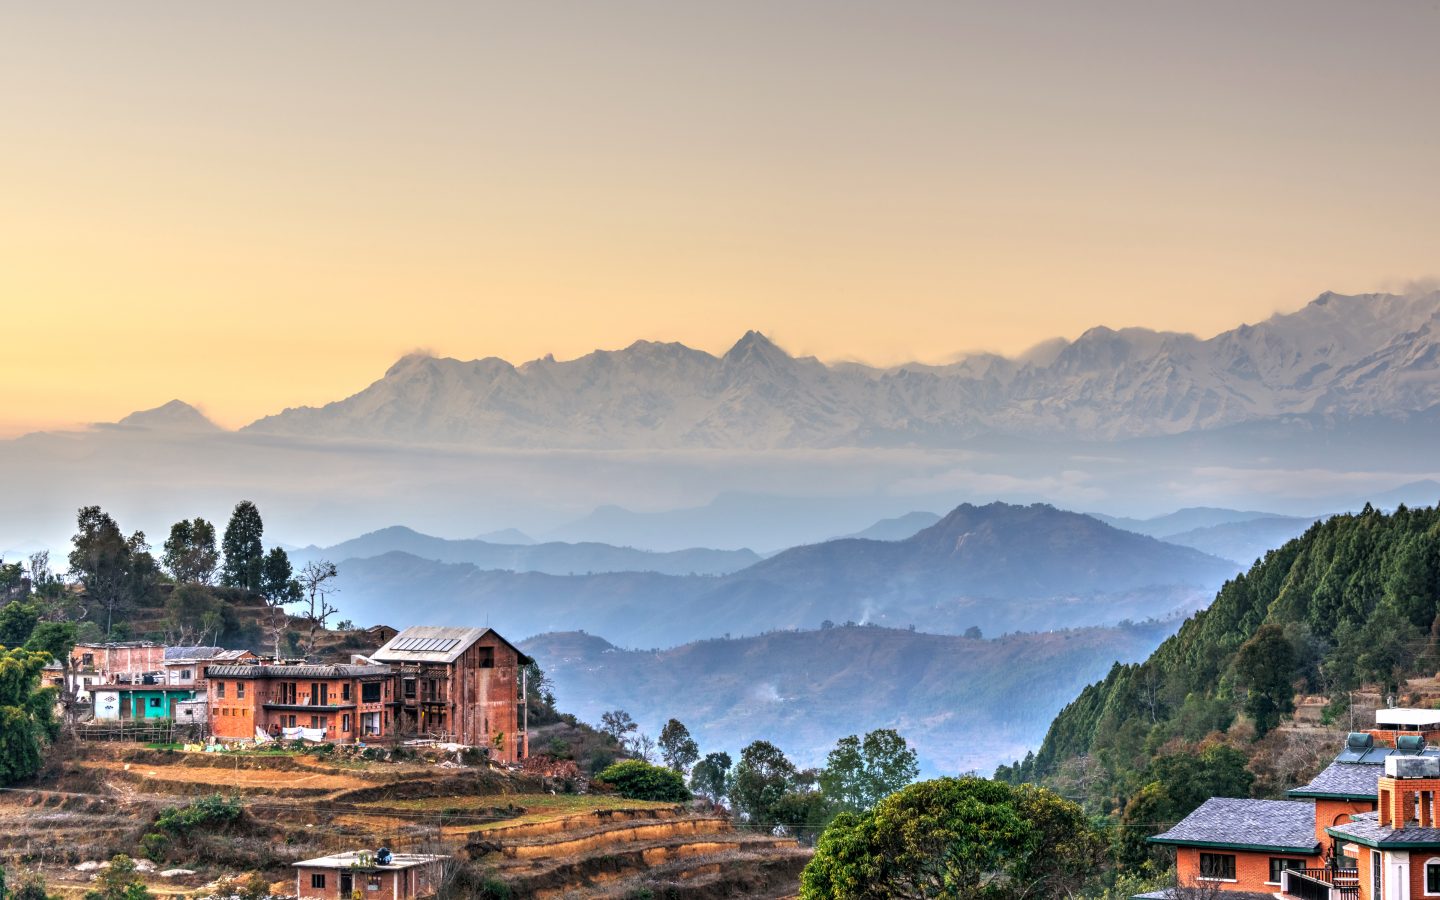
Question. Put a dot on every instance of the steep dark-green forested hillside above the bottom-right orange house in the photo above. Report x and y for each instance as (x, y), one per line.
(1351, 603)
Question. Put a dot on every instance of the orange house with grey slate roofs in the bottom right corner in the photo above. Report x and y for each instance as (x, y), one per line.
(1364, 829)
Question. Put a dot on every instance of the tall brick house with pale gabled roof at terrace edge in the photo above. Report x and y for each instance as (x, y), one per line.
(462, 685)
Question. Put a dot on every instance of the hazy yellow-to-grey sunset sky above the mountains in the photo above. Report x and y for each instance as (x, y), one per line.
(253, 207)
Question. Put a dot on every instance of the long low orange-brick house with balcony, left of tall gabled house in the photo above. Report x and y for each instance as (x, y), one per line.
(333, 703)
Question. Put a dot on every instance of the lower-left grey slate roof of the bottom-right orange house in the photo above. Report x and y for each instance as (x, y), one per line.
(1228, 822)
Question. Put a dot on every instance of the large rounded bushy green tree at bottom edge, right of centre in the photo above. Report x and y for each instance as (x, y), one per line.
(957, 839)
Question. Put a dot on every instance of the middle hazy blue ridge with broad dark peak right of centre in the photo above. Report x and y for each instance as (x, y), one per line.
(1000, 568)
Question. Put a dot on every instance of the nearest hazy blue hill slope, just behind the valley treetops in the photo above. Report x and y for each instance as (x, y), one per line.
(953, 698)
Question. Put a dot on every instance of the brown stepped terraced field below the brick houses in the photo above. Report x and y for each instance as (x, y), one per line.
(502, 824)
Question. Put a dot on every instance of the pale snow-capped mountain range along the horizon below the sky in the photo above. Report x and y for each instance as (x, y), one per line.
(1337, 358)
